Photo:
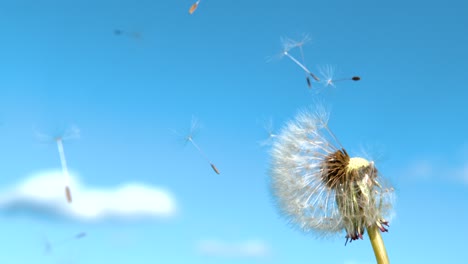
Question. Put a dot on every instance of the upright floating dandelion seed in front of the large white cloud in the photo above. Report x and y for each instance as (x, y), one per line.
(71, 133)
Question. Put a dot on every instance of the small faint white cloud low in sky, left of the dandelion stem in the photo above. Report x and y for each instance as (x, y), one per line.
(246, 249)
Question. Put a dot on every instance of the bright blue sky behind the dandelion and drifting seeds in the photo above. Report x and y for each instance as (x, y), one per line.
(63, 66)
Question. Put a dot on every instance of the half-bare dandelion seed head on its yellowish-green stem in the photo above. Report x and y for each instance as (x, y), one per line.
(323, 190)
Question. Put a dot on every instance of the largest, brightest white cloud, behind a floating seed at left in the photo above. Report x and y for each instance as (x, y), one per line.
(44, 192)
